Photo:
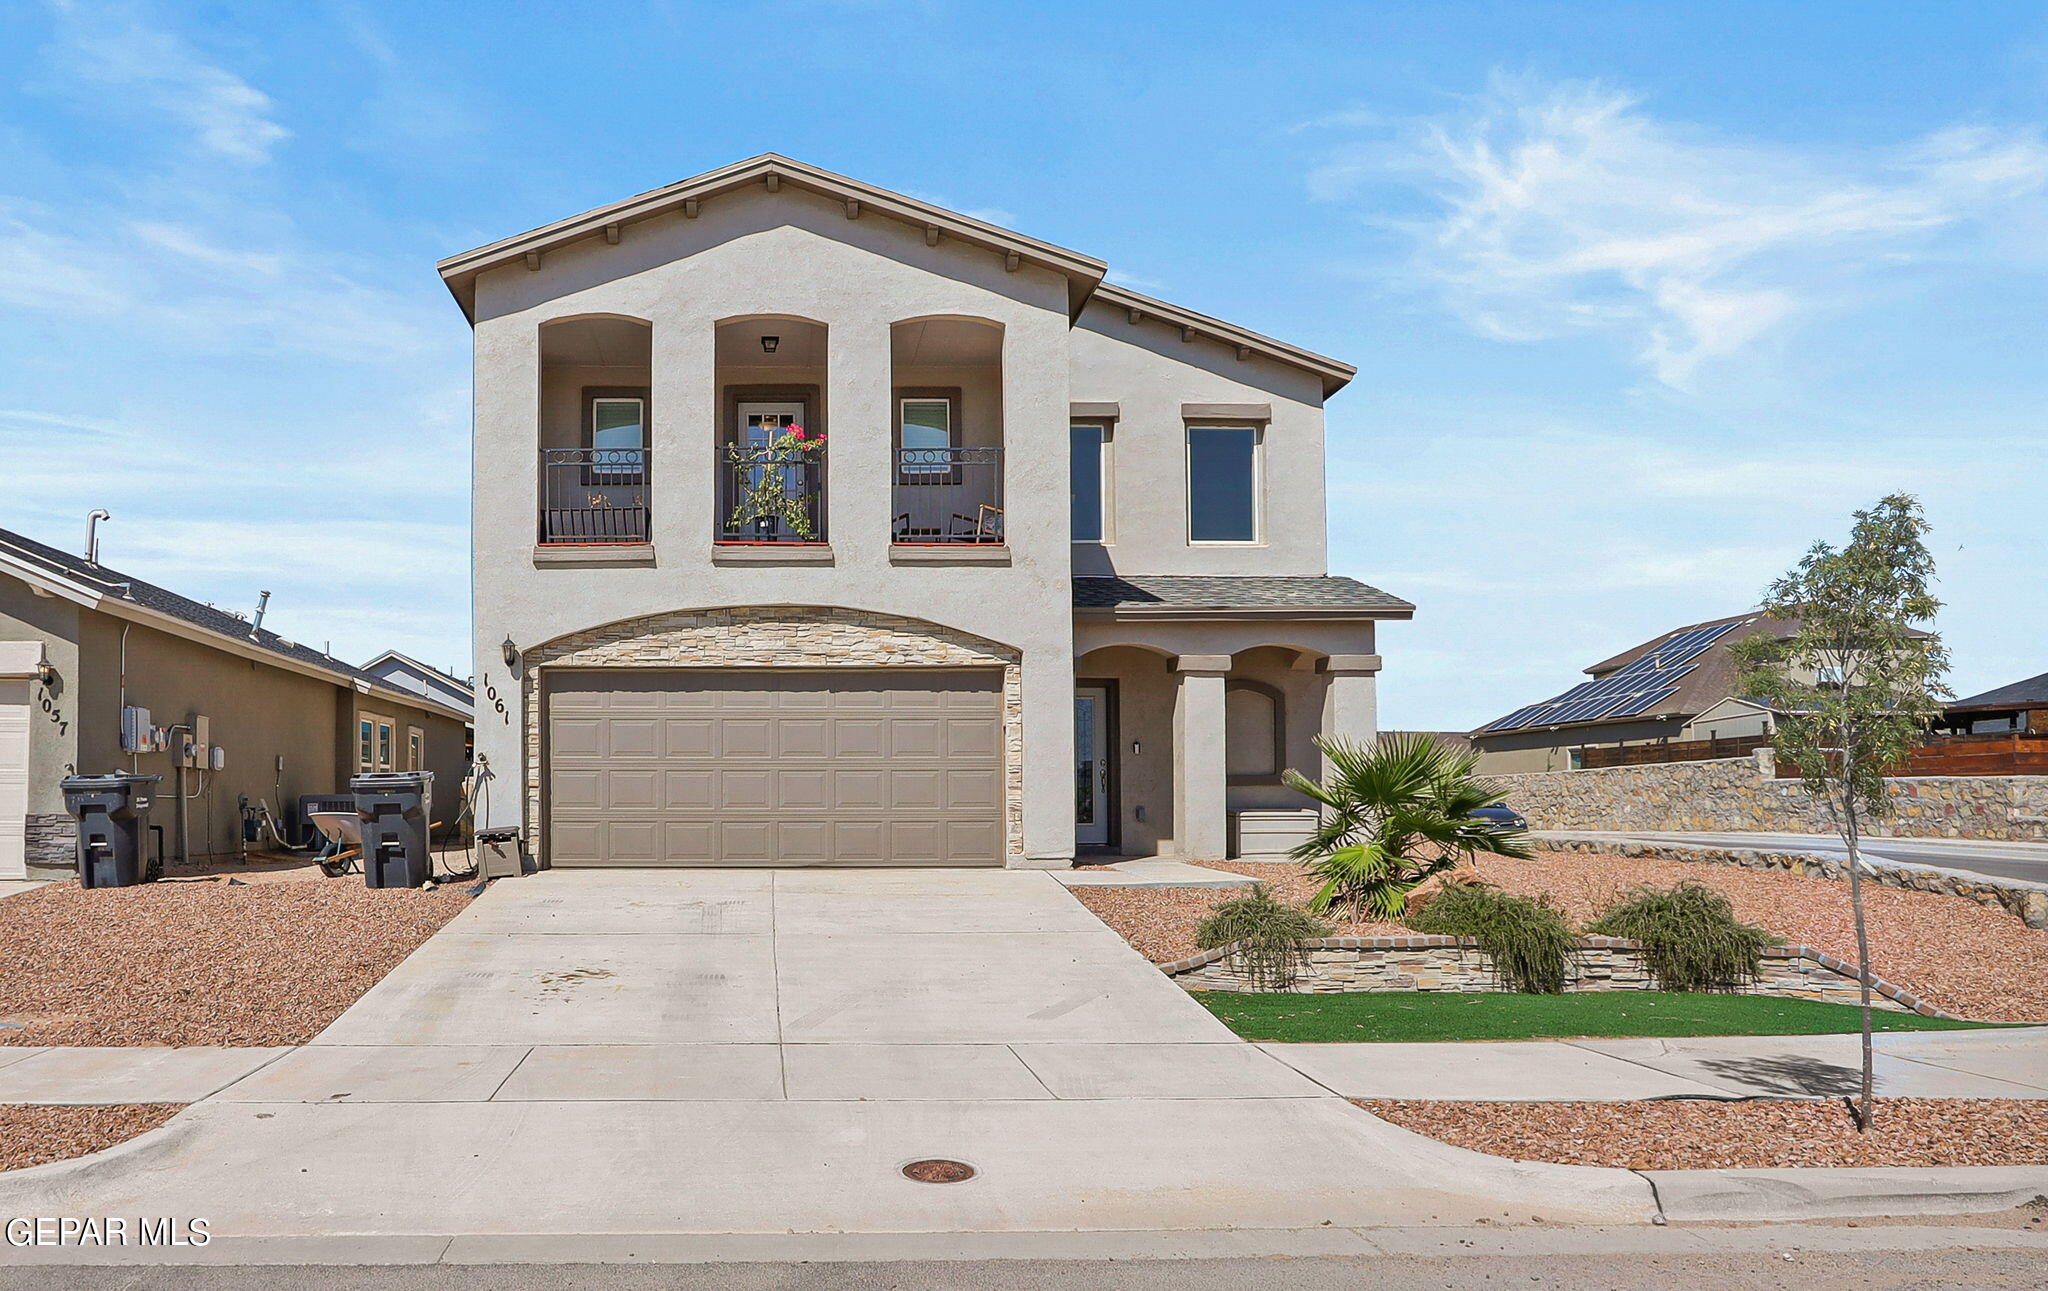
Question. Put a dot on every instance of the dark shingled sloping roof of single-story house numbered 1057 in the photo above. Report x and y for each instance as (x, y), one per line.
(122, 593)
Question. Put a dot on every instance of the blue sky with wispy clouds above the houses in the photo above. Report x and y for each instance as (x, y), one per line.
(1646, 298)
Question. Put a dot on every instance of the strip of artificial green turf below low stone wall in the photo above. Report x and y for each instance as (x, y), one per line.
(1455, 1017)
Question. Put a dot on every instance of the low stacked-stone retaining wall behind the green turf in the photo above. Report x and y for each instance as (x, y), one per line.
(1449, 964)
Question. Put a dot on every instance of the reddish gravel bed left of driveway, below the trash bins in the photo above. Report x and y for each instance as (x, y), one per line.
(202, 962)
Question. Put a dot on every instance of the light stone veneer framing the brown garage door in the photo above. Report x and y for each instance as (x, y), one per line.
(781, 636)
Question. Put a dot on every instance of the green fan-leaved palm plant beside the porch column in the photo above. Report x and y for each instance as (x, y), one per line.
(1396, 815)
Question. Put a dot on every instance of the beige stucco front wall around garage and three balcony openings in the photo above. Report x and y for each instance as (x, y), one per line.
(790, 255)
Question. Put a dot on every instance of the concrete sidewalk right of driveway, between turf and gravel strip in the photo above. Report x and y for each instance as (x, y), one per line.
(1912, 1065)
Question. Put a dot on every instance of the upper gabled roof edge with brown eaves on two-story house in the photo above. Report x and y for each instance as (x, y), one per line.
(1084, 274)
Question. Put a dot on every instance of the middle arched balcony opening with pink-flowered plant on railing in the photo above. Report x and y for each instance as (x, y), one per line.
(771, 440)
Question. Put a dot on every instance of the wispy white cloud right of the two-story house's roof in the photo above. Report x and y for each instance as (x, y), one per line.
(1568, 208)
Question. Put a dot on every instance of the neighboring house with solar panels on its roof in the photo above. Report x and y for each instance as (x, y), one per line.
(1676, 688)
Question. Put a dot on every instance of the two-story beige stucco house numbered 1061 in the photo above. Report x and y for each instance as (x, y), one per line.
(1056, 579)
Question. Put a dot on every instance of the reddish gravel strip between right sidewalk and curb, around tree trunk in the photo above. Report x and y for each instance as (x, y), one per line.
(1736, 1136)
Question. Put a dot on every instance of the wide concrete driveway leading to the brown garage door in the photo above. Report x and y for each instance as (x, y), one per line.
(746, 1052)
